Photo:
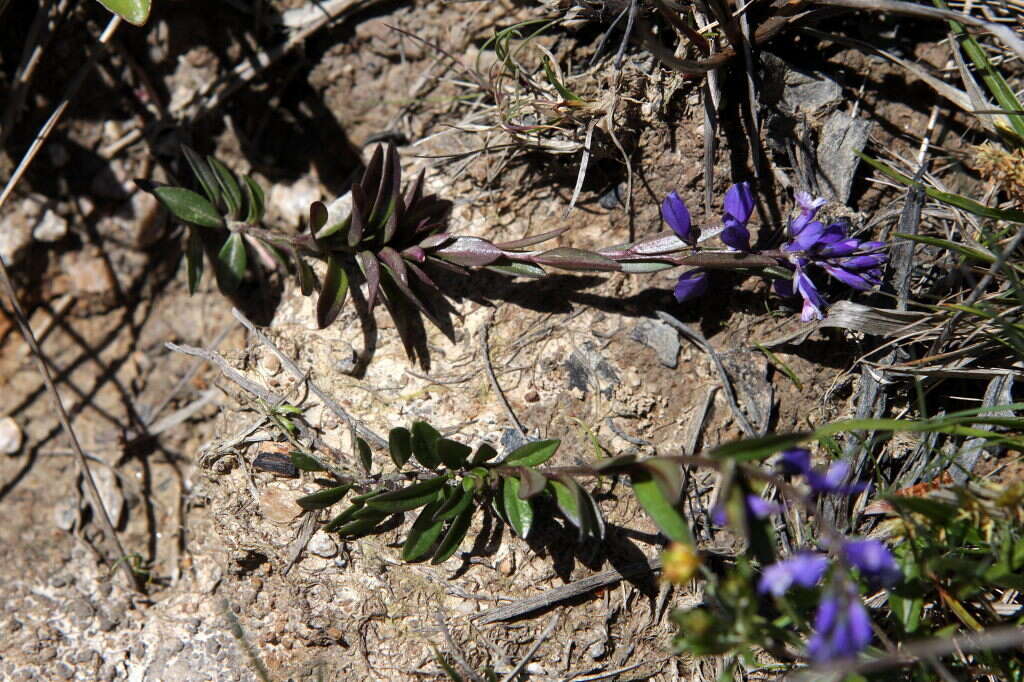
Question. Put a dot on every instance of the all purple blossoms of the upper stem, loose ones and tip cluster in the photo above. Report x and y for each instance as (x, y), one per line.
(855, 263)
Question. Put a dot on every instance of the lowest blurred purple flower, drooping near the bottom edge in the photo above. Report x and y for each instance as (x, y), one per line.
(842, 627)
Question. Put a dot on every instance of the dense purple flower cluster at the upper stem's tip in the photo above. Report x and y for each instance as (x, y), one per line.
(855, 263)
